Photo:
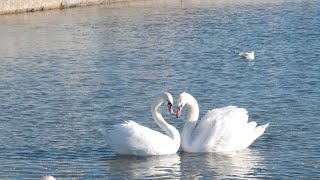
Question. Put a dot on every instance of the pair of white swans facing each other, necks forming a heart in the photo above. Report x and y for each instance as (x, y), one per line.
(222, 129)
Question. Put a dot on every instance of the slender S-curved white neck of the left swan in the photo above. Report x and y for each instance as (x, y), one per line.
(171, 131)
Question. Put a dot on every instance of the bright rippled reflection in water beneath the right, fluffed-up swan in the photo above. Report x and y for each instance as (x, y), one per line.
(240, 164)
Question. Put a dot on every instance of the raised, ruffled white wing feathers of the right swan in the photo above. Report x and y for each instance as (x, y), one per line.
(225, 129)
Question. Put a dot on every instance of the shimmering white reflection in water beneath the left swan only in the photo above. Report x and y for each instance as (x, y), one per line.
(150, 167)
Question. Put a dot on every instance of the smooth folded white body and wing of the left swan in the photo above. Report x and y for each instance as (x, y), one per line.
(133, 139)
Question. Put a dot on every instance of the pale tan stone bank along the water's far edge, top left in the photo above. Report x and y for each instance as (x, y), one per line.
(18, 6)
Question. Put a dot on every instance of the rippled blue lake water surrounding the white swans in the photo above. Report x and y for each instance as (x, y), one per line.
(67, 76)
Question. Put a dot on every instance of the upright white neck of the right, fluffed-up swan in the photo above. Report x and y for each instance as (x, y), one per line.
(188, 127)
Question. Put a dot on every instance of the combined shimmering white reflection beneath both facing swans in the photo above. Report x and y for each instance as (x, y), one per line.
(240, 164)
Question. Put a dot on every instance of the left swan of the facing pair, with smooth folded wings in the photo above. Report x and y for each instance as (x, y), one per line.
(130, 138)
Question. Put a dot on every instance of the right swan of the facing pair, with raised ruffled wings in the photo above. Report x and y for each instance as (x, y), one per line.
(220, 130)
